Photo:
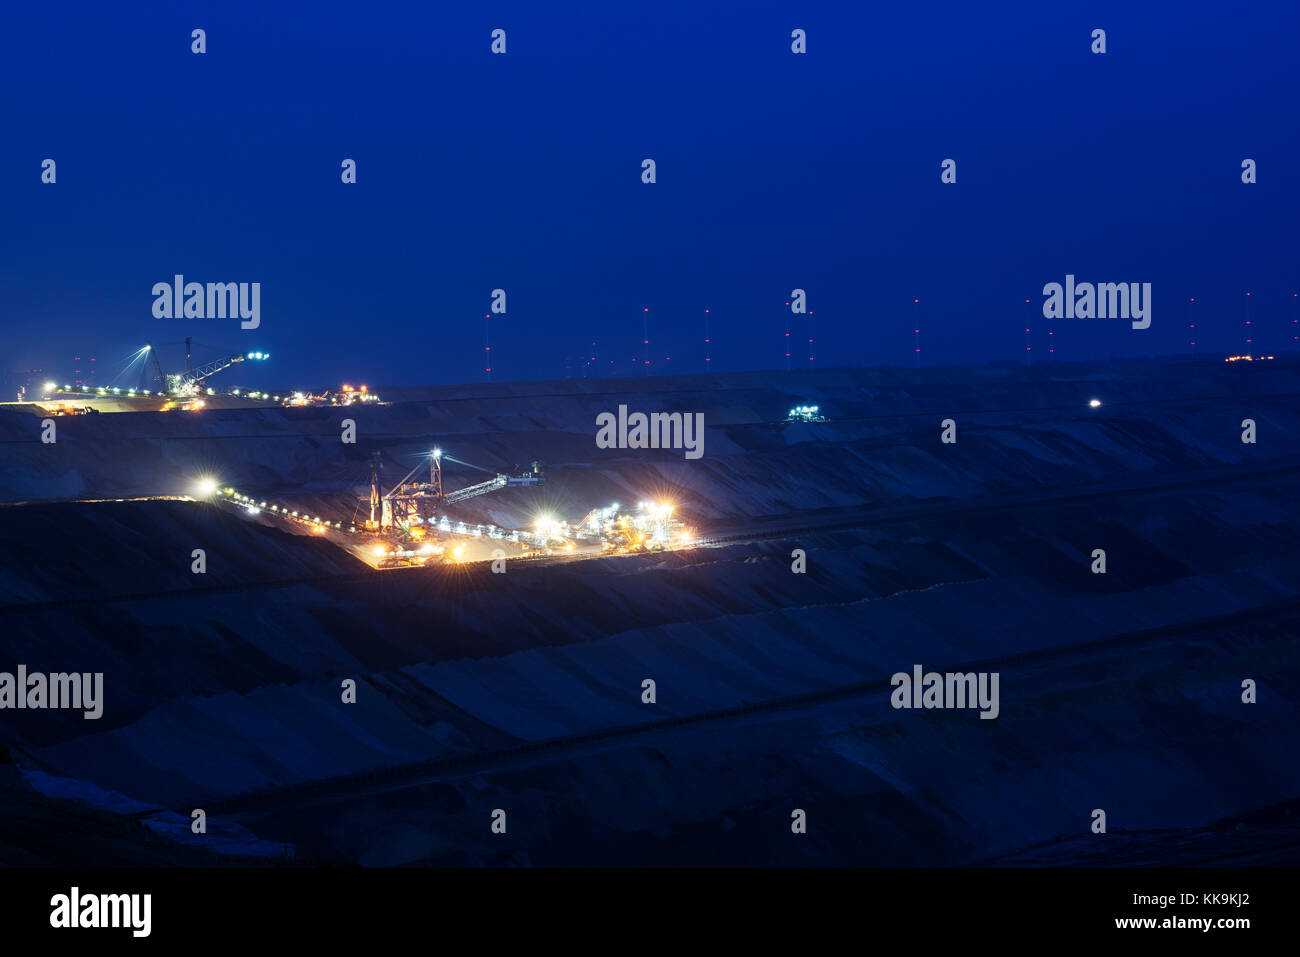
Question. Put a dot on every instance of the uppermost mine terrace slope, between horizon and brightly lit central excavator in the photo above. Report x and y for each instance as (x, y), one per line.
(1020, 428)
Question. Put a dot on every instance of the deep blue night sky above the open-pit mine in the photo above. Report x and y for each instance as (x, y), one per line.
(523, 172)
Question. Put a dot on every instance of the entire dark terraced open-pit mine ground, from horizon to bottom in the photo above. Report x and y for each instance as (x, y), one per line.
(525, 691)
